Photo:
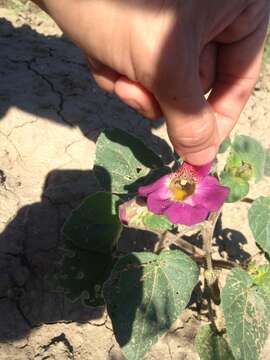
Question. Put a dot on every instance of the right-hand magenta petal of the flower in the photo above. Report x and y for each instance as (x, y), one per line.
(210, 194)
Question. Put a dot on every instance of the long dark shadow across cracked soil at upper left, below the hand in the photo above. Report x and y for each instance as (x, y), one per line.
(47, 76)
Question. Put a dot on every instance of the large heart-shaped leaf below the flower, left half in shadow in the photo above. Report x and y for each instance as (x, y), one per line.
(145, 294)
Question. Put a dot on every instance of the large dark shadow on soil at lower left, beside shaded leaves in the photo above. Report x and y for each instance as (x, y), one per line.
(31, 248)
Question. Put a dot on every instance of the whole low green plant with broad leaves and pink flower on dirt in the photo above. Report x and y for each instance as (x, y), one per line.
(145, 292)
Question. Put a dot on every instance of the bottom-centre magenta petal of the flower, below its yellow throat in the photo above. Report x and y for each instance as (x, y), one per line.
(180, 213)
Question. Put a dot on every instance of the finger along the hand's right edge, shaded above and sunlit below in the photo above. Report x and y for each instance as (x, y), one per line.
(238, 69)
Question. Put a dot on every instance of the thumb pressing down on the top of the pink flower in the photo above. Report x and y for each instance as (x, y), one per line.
(191, 122)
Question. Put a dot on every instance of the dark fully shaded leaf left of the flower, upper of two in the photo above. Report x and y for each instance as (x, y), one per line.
(95, 224)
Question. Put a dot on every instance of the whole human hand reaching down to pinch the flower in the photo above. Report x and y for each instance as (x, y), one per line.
(162, 56)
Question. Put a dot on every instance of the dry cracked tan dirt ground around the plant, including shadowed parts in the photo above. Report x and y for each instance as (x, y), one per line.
(50, 116)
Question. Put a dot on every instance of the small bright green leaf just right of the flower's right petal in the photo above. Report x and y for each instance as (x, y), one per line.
(239, 187)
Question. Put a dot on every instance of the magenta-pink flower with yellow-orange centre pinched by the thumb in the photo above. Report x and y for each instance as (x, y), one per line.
(185, 196)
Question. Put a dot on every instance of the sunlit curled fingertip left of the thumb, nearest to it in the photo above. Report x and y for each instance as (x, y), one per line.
(136, 96)
